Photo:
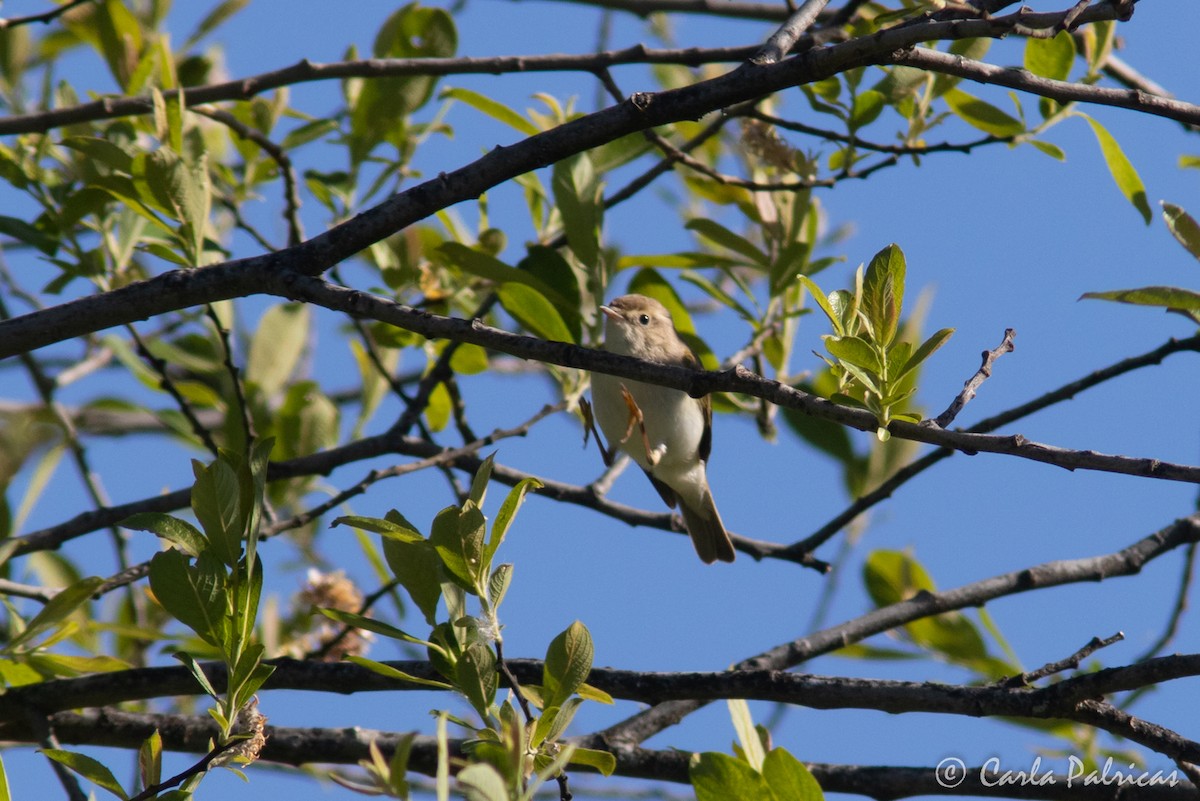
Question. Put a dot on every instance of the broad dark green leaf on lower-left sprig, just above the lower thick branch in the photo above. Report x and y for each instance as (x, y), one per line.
(194, 595)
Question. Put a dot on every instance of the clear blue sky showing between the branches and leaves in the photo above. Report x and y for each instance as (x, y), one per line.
(1003, 239)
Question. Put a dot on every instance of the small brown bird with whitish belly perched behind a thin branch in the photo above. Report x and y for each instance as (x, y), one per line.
(676, 431)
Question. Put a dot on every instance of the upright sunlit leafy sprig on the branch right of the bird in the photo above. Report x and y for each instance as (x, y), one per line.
(872, 364)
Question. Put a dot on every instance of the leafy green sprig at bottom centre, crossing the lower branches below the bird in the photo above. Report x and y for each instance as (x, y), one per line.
(511, 755)
